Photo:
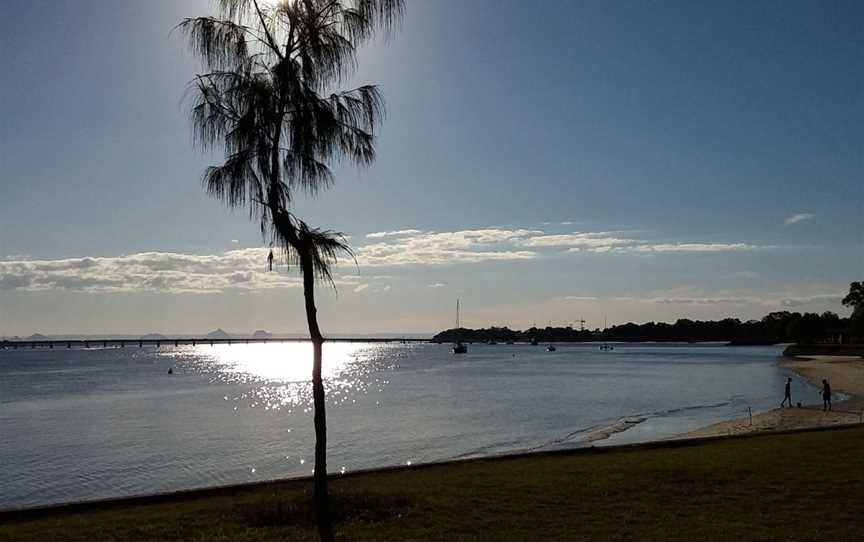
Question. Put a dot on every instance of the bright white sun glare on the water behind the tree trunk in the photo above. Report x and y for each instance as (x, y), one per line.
(279, 374)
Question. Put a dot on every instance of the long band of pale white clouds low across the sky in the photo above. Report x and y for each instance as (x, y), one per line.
(247, 268)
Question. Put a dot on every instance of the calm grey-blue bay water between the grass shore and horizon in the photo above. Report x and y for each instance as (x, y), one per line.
(87, 424)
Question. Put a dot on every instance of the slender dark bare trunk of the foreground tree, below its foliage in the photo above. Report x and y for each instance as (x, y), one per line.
(321, 497)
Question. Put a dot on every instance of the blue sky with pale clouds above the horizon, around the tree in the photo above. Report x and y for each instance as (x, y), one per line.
(541, 162)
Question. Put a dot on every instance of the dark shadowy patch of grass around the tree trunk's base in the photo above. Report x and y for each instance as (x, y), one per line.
(278, 510)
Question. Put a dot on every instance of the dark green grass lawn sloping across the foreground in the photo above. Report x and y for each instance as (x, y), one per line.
(803, 486)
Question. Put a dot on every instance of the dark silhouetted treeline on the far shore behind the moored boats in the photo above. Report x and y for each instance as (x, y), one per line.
(776, 327)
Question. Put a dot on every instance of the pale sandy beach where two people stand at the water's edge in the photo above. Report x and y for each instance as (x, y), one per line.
(844, 373)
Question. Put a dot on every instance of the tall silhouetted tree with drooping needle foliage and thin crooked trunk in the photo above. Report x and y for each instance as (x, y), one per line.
(269, 100)
